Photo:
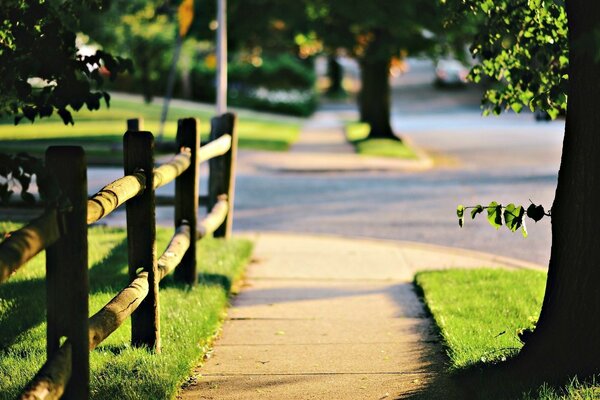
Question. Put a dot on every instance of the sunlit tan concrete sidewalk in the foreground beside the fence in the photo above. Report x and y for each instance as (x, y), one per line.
(324, 317)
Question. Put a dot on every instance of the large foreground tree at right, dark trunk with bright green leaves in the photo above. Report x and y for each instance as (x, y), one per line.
(539, 59)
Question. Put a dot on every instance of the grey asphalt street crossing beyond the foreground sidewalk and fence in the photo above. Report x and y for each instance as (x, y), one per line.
(511, 158)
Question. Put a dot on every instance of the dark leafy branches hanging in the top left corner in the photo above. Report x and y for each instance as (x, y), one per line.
(40, 70)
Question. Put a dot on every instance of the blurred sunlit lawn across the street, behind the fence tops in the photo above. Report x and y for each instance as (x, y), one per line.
(97, 130)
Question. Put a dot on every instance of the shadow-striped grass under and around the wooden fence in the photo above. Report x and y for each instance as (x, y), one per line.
(190, 318)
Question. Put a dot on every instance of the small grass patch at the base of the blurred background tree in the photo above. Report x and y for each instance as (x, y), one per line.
(357, 132)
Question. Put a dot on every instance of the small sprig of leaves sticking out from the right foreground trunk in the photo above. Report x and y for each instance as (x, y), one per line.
(511, 215)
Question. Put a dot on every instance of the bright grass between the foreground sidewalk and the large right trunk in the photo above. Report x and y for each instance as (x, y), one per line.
(479, 313)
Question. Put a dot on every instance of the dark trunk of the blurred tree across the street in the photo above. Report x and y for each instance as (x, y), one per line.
(374, 98)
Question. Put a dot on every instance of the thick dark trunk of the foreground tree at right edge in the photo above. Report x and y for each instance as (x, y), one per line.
(567, 338)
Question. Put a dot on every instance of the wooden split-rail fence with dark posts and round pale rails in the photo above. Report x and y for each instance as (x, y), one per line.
(62, 232)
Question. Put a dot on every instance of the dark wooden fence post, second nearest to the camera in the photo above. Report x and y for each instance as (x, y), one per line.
(141, 238)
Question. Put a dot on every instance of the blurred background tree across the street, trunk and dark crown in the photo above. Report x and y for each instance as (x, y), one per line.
(374, 33)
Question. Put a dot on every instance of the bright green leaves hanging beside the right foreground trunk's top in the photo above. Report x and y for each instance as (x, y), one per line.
(522, 48)
